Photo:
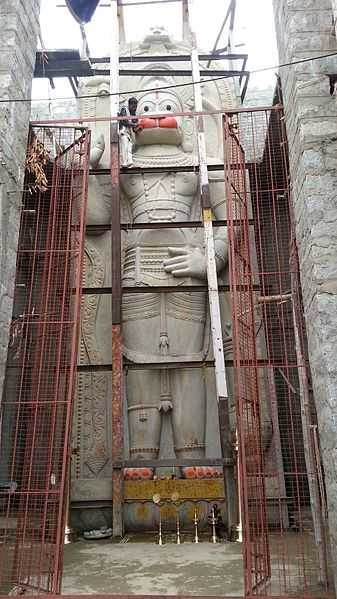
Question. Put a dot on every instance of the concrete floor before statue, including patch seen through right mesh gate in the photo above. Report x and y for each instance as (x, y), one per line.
(137, 565)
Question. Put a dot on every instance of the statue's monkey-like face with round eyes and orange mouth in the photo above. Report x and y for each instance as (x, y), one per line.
(161, 130)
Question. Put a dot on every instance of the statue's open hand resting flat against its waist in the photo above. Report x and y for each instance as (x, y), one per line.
(186, 262)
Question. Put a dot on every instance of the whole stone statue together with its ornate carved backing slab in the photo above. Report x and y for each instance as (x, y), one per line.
(168, 411)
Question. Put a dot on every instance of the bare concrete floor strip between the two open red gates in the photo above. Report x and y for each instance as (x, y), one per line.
(93, 567)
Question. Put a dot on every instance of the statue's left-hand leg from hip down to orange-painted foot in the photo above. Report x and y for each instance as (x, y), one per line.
(141, 323)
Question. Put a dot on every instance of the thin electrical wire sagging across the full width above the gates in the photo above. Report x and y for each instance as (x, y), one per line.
(175, 86)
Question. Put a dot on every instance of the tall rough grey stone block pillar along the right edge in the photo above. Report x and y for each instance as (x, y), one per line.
(305, 29)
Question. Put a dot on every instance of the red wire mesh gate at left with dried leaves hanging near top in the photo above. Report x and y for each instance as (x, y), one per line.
(37, 402)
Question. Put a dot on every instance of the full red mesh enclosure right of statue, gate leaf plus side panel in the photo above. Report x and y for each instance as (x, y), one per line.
(282, 501)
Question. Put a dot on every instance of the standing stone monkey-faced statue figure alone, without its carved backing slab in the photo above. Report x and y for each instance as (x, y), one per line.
(160, 327)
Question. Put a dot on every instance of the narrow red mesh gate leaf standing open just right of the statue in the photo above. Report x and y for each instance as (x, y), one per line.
(250, 462)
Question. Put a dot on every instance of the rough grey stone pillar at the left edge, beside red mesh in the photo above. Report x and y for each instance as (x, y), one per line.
(18, 35)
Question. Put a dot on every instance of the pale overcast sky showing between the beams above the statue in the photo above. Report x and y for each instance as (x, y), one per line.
(254, 32)
